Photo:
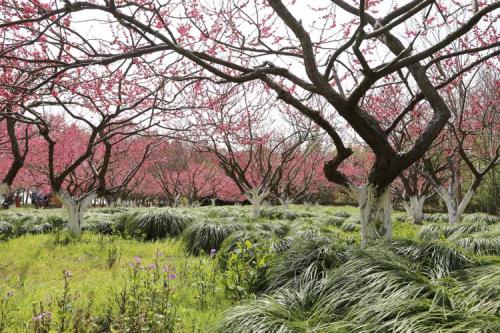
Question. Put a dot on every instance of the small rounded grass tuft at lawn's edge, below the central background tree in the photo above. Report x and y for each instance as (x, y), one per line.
(206, 235)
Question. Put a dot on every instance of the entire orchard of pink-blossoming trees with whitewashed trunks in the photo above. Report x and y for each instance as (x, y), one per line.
(392, 92)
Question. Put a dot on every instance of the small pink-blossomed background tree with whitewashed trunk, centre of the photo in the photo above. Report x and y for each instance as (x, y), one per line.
(238, 130)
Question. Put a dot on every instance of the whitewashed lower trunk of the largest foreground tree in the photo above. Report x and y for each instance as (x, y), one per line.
(375, 214)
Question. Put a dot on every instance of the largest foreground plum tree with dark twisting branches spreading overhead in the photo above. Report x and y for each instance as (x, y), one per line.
(334, 50)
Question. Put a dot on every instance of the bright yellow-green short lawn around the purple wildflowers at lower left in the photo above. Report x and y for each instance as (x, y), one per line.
(31, 266)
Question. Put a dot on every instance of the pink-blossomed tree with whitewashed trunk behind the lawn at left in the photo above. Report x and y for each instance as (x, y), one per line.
(82, 123)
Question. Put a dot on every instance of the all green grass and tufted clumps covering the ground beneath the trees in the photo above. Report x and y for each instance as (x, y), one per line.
(309, 245)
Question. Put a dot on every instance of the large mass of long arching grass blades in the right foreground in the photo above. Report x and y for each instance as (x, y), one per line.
(387, 287)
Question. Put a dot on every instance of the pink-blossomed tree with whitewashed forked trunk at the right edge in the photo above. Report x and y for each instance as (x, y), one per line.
(473, 146)
